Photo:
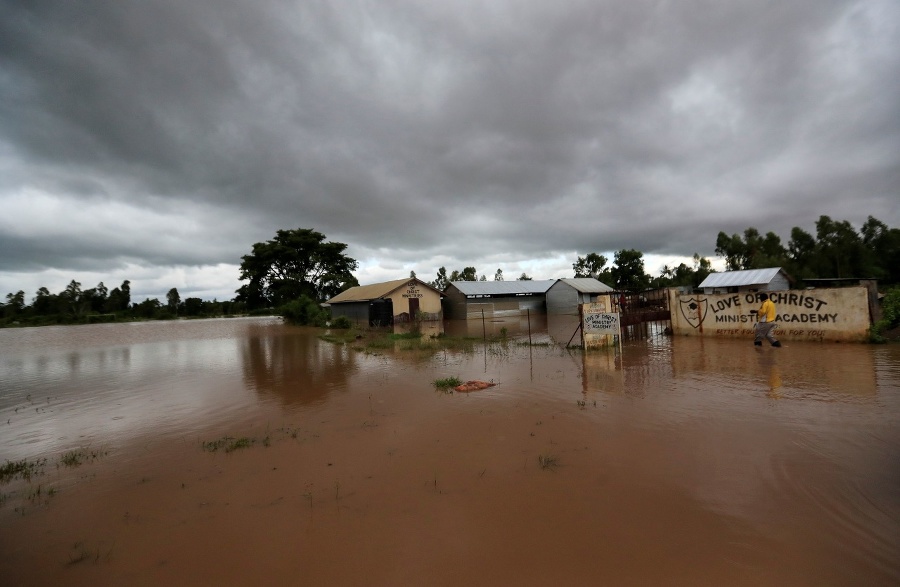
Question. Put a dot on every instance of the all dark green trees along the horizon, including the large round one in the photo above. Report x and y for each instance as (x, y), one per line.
(299, 269)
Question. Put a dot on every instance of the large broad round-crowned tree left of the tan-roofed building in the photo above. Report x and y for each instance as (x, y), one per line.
(295, 263)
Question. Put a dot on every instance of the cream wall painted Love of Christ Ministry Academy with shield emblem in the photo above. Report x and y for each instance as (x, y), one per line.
(820, 314)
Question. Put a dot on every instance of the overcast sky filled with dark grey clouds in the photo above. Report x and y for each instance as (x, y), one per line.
(156, 141)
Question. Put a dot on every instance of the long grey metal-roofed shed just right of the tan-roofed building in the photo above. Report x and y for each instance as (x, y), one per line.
(469, 299)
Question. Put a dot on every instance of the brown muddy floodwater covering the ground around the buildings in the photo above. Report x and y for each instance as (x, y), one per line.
(247, 452)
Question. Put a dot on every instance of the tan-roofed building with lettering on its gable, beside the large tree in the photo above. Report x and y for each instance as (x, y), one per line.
(381, 304)
